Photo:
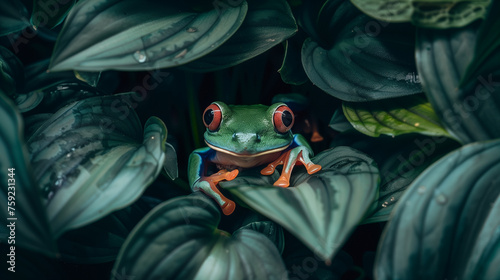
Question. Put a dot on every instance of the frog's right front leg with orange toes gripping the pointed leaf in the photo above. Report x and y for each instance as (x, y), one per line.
(288, 159)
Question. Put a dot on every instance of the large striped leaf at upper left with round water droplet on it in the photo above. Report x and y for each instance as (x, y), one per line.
(140, 35)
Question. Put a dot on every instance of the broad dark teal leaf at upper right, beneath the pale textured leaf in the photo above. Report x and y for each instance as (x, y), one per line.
(359, 59)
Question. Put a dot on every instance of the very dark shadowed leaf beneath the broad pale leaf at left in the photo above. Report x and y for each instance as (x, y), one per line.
(101, 241)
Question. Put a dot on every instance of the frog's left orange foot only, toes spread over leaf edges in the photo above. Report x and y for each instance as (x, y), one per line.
(225, 203)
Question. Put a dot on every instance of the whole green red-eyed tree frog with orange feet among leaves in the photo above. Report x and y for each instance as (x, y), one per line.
(245, 136)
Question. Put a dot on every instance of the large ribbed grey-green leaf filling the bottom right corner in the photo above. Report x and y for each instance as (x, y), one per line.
(447, 226)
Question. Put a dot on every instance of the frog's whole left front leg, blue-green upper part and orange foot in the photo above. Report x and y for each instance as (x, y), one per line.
(210, 184)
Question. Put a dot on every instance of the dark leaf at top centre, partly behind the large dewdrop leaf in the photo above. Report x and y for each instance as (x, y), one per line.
(266, 24)
